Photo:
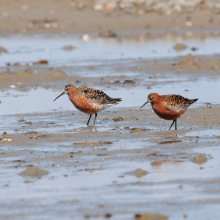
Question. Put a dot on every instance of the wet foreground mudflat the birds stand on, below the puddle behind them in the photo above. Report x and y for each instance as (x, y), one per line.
(87, 166)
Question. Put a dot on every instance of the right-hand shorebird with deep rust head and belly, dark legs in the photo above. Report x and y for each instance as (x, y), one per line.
(169, 107)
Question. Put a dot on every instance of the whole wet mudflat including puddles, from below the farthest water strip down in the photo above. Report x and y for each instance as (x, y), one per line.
(90, 172)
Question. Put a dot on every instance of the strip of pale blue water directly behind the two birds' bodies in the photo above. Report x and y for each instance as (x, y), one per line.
(41, 100)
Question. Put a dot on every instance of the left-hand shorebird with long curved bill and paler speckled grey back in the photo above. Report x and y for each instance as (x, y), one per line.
(88, 100)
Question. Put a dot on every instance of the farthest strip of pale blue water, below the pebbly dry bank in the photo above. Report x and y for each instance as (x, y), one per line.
(97, 50)
